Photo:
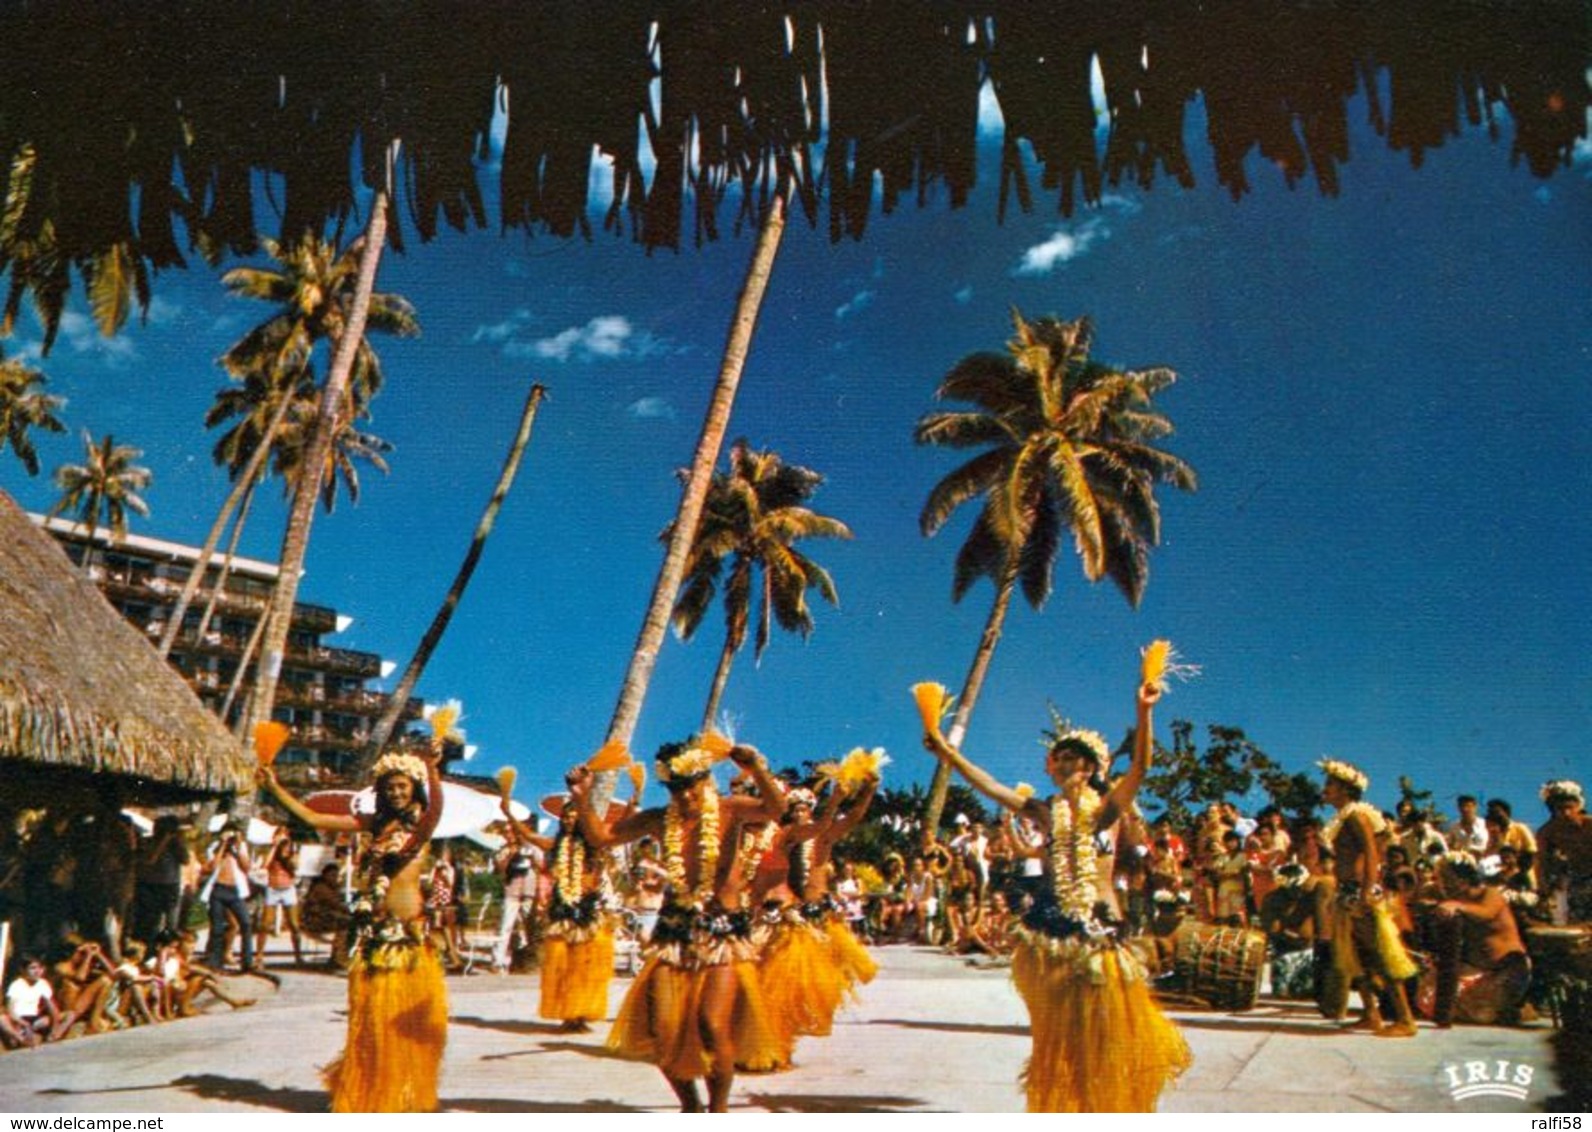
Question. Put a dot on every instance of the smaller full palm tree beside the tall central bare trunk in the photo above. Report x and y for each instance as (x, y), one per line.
(752, 520)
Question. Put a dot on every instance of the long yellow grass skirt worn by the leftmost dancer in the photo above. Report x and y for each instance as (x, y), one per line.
(397, 1029)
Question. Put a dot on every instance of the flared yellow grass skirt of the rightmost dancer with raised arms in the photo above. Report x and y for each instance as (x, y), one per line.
(1101, 1045)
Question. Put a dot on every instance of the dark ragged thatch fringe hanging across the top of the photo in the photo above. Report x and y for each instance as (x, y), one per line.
(141, 130)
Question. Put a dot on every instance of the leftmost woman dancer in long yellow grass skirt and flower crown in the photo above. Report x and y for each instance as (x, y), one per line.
(397, 997)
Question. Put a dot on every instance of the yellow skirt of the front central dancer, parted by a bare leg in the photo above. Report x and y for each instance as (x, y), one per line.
(660, 1021)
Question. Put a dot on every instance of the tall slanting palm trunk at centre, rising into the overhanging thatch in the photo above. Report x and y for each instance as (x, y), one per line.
(714, 427)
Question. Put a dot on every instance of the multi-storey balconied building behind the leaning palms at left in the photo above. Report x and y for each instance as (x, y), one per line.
(324, 695)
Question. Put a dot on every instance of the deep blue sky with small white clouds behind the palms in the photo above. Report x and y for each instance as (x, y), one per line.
(1386, 397)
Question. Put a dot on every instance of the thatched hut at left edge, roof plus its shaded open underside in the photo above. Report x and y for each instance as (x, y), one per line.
(92, 720)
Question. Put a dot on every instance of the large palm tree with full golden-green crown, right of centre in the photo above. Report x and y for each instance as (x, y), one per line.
(1067, 447)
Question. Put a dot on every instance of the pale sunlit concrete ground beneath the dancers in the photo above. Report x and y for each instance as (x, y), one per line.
(931, 1034)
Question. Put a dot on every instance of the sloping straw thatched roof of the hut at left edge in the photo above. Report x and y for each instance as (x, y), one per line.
(82, 689)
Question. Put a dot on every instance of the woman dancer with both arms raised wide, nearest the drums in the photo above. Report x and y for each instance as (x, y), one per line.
(1099, 1042)
